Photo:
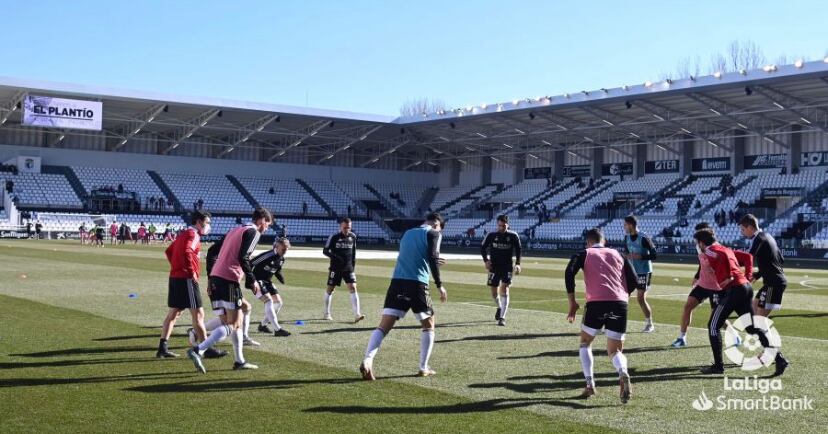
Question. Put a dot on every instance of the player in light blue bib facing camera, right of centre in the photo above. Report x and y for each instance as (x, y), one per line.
(641, 252)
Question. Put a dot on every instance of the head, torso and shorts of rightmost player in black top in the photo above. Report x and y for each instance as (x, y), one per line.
(769, 261)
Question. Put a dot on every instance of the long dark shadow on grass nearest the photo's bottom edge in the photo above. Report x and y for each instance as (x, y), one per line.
(470, 407)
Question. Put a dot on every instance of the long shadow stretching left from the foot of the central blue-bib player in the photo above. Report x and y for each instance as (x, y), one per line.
(235, 386)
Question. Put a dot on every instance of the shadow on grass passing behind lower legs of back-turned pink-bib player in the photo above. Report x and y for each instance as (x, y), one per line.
(575, 381)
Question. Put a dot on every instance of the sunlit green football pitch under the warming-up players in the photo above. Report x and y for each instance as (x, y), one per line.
(80, 328)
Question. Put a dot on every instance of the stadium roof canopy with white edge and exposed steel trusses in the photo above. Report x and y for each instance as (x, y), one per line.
(764, 102)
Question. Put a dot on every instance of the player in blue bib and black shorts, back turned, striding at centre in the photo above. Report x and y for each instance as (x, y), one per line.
(419, 255)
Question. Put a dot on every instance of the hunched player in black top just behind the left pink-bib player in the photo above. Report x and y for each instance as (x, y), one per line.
(266, 266)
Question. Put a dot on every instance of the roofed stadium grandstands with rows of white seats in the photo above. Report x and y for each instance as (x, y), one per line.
(674, 152)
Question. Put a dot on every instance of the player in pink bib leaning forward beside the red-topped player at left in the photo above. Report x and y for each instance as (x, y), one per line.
(232, 262)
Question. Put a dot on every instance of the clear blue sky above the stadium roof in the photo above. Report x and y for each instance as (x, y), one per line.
(370, 56)
